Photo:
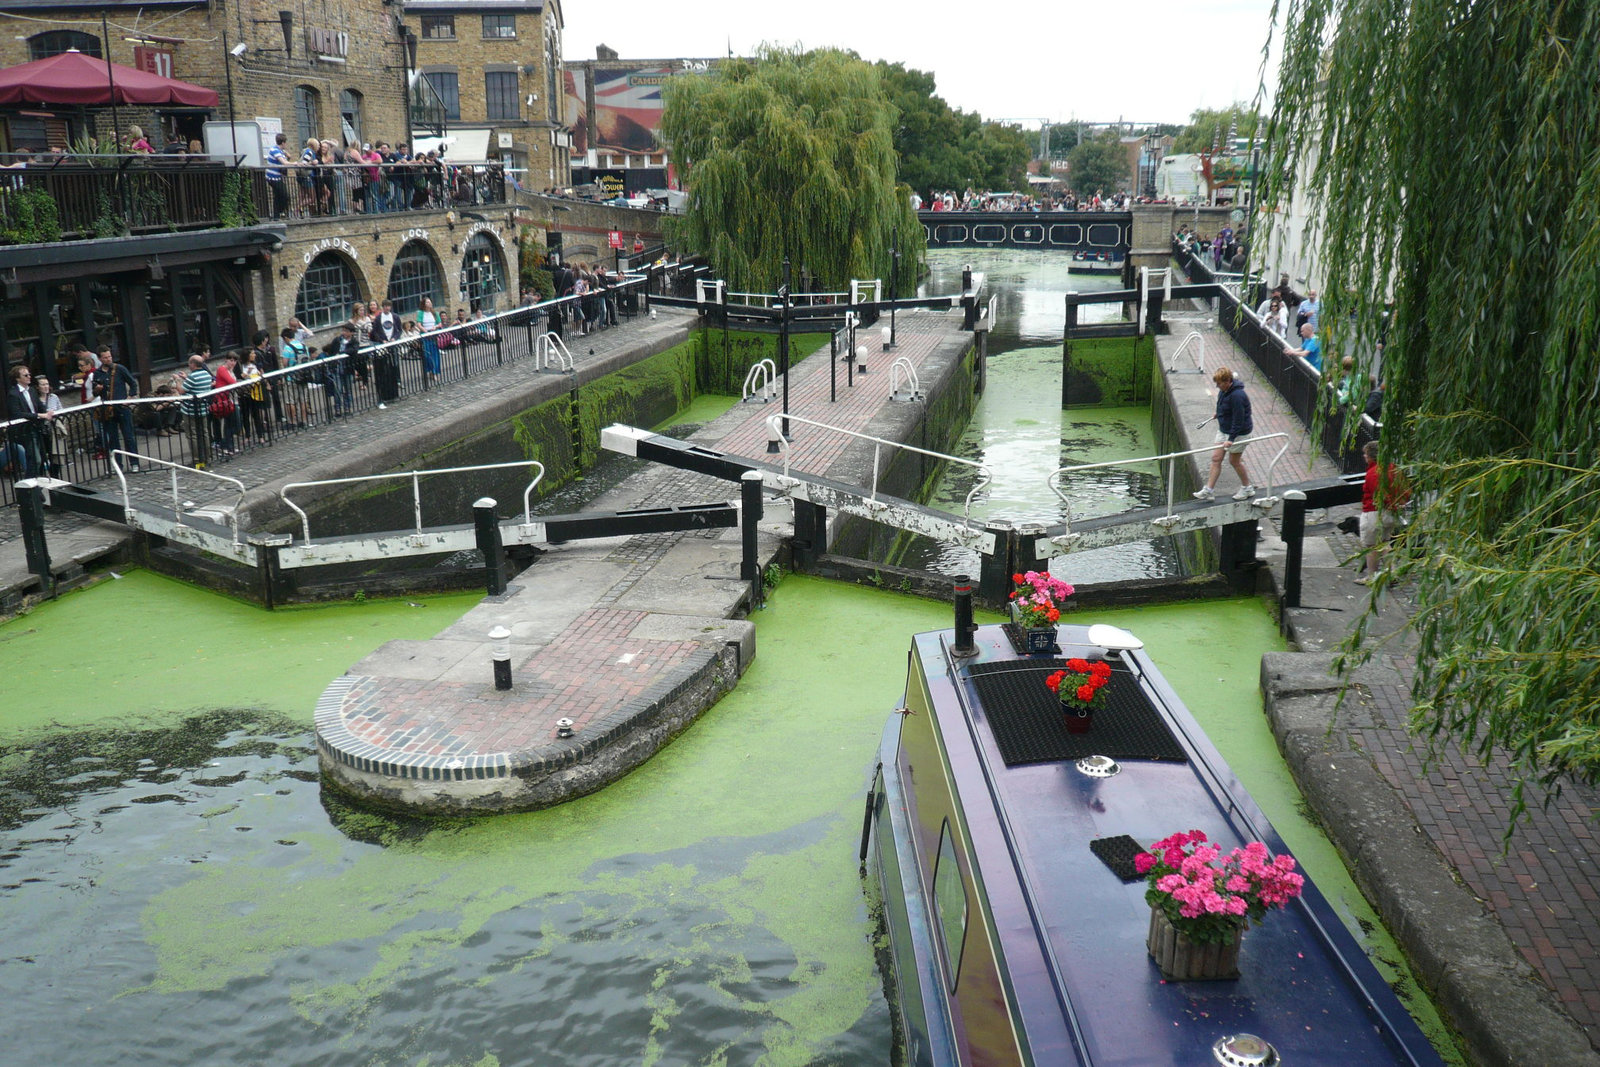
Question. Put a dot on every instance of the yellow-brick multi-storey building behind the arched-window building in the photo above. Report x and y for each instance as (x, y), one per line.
(497, 66)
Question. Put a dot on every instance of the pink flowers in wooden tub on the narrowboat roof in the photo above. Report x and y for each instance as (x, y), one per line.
(1202, 900)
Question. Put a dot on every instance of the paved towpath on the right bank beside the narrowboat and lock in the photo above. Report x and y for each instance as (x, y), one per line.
(1524, 917)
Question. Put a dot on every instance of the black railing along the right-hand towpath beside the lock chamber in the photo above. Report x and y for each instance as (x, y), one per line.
(1302, 388)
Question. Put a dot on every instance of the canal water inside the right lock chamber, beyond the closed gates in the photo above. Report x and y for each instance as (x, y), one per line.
(1020, 433)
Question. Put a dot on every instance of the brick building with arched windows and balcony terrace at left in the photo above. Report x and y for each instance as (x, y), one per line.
(162, 268)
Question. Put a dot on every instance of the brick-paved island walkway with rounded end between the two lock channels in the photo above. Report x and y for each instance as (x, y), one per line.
(602, 666)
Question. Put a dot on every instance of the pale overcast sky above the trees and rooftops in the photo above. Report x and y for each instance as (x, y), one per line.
(1153, 62)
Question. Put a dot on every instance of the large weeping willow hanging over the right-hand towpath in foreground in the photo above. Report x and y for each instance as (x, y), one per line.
(1452, 153)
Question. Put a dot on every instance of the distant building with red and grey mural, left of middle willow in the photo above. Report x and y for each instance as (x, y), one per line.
(614, 110)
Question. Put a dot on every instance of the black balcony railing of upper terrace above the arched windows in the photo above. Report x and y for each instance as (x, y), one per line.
(63, 198)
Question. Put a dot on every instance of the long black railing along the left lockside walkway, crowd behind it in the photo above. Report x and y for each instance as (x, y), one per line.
(209, 431)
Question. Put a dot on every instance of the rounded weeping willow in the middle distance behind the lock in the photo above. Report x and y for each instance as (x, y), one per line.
(791, 156)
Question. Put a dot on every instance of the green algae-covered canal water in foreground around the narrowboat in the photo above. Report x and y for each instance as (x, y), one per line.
(177, 889)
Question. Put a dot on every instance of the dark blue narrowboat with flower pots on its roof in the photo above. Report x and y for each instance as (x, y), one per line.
(1017, 930)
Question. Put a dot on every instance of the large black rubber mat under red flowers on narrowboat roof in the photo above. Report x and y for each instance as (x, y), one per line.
(1030, 727)
